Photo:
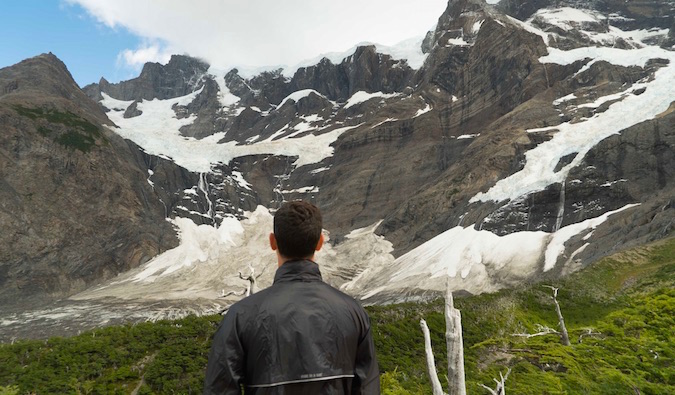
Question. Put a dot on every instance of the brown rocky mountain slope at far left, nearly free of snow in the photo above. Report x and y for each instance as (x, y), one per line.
(76, 205)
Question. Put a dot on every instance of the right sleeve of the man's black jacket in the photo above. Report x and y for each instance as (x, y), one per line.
(366, 371)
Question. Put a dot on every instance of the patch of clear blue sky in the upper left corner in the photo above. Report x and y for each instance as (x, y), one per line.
(89, 48)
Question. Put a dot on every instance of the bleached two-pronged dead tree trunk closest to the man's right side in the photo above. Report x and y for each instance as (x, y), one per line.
(453, 338)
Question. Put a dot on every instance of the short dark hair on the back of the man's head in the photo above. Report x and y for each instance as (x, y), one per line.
(297, 229)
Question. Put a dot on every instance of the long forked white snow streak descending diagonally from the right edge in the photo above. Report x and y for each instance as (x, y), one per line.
(540, 167)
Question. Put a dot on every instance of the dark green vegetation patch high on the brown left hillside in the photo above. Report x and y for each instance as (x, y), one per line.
(80, 134)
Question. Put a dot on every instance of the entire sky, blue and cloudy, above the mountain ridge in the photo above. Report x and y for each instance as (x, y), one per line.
(113, 39)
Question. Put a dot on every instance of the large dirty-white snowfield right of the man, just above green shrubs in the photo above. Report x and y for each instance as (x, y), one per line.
(471, 259)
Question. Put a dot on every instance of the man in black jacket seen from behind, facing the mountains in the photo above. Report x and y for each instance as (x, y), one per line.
(299, 336)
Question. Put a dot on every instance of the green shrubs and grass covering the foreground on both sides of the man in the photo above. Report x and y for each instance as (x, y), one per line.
(628, 302)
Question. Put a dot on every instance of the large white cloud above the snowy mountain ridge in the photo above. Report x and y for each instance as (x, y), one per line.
(254, 33)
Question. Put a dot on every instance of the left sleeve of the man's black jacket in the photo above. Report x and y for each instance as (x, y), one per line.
(226, 366)
